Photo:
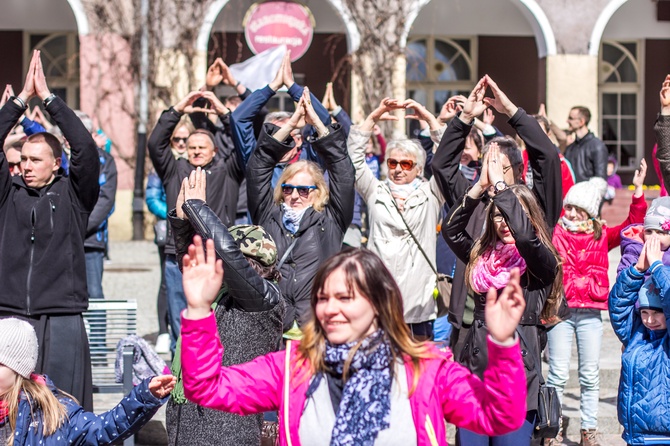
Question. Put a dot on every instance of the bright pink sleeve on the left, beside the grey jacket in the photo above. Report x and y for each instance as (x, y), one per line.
(243, 389)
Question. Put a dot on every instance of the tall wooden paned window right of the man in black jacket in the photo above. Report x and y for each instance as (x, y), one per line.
(620, 106)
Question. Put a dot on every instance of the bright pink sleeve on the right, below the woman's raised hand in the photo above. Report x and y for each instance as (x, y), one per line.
(493, 406)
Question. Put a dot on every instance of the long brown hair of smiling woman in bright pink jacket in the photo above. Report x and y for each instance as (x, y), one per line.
(367, 274)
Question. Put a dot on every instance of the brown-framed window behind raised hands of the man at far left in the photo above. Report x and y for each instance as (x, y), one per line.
(60, 58)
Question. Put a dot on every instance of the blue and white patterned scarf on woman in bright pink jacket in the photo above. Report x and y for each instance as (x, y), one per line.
(365, 408)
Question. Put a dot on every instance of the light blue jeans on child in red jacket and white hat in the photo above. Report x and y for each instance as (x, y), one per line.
(587, 326)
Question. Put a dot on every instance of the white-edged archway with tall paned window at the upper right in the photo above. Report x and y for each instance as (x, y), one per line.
(633, 50)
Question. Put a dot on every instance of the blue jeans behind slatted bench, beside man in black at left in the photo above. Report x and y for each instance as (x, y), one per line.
(96, 320)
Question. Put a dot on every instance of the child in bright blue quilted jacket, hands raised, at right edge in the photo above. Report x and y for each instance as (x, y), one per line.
(638, 310)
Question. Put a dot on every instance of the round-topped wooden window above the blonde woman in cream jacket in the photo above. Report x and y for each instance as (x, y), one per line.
(438, 68)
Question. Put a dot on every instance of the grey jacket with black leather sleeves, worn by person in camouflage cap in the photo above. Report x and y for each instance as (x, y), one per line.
(249, 318)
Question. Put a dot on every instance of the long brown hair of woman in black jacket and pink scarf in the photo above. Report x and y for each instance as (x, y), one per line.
(489, 239)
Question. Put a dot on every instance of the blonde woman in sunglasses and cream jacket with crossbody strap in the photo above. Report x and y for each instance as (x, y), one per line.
(403, 210)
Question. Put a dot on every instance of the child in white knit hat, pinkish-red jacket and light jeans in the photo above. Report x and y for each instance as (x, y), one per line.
(583, 242)
